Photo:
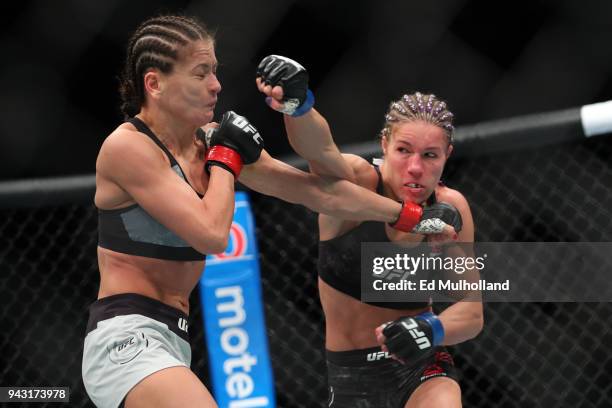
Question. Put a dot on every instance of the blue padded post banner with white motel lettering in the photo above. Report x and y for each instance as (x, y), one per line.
(230, 294)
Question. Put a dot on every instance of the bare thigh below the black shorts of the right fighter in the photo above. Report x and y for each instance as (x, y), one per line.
(436, 392)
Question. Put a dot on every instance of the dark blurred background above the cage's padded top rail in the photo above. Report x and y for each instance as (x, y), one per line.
(58, 83)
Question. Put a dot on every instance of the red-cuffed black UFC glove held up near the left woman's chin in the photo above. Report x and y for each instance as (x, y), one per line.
(234, 143)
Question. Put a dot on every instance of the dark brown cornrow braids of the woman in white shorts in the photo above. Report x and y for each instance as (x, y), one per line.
(155, 44)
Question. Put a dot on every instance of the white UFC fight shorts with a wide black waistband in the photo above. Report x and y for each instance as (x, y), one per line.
(130, 337)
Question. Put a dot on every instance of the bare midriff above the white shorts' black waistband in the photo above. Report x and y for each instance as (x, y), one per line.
(170, 282)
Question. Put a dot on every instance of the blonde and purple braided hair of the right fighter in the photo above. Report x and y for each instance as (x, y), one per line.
(418, 106)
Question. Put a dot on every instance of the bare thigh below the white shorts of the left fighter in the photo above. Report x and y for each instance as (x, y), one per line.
(170, 387)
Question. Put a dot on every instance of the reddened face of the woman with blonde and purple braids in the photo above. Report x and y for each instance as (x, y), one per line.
(415, 154)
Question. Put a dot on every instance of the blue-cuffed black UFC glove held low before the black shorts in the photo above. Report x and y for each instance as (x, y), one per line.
(410, 338)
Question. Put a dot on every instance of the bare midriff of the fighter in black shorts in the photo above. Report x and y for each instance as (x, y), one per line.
(350, 324)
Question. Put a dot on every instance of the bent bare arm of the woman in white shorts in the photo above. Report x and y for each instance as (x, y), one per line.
(134, 164)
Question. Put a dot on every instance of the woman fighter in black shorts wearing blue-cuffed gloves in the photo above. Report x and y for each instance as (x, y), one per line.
(416, 141)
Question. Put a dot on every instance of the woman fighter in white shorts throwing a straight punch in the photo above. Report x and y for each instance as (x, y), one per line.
(165, 200)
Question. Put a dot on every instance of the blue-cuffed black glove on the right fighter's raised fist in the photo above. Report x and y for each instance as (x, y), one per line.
(276, 70)
